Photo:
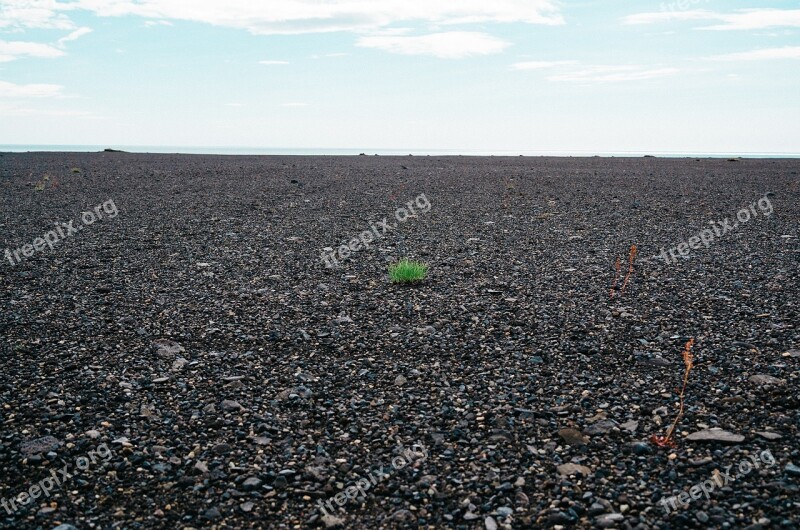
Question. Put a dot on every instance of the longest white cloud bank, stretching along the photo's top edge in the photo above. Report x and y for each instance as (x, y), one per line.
(289, 16)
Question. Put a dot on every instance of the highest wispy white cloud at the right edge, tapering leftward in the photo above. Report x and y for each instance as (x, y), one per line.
(743, 19)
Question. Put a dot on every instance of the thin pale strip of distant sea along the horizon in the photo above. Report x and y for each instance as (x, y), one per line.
(356, 151)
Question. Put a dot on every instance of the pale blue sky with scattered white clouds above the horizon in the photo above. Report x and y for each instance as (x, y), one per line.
(543, 76)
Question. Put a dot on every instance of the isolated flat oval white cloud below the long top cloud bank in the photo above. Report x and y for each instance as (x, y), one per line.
(447, 45)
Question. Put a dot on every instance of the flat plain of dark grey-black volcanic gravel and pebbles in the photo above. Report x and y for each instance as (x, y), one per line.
(188, 360)
